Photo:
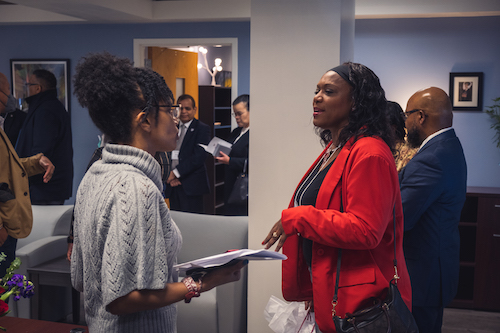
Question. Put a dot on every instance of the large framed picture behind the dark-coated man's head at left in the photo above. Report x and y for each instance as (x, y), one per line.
(22, 69)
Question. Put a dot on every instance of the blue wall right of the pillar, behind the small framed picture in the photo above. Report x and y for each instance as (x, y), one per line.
(411, 54)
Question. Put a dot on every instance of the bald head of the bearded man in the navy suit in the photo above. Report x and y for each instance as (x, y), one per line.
(432, 111)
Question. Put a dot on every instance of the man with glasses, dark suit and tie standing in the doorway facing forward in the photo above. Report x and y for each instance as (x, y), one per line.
(188, 180)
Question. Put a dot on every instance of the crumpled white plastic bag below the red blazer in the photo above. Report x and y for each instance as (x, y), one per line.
(286, 317)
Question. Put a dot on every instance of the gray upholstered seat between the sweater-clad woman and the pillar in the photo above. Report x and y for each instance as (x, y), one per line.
(223, 309)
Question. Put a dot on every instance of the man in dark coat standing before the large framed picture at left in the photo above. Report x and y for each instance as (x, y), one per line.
(47, 130)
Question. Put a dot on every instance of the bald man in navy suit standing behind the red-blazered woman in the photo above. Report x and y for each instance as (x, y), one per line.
(433, 188)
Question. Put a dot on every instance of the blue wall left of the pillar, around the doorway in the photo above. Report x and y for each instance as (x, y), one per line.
(73, 41)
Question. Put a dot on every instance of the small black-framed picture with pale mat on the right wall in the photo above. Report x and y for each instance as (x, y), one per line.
(466, 91)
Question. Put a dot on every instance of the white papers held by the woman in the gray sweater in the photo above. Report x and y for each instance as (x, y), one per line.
(224, 258)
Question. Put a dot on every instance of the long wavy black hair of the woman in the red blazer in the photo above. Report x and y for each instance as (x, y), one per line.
(368, 116)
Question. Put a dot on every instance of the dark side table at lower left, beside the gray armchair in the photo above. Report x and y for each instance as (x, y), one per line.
(53, 273)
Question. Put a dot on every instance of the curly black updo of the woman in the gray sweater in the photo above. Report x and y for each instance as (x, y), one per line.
(112, 89)
